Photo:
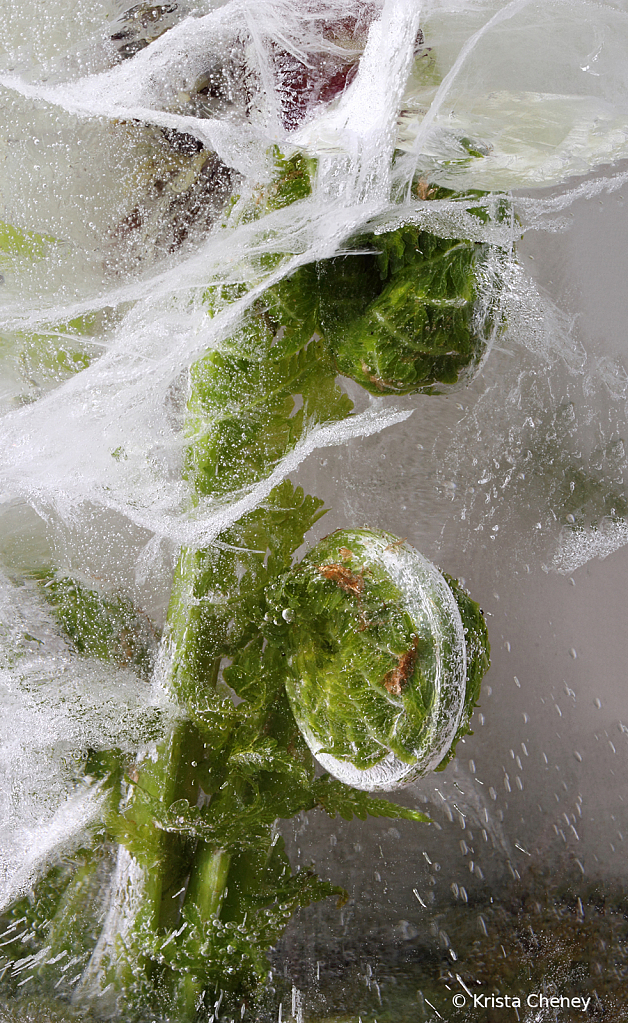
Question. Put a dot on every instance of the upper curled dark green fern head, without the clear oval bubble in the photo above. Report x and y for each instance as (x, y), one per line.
(403, 320)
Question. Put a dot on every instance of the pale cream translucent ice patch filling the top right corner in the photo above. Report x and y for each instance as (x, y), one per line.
(539, 87)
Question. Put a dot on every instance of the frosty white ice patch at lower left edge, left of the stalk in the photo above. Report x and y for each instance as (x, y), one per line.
(54, 708)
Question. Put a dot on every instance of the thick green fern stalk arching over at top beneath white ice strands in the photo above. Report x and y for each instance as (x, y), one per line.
(249, 406)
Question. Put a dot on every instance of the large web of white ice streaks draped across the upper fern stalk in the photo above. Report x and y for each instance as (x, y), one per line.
(125, 394)
